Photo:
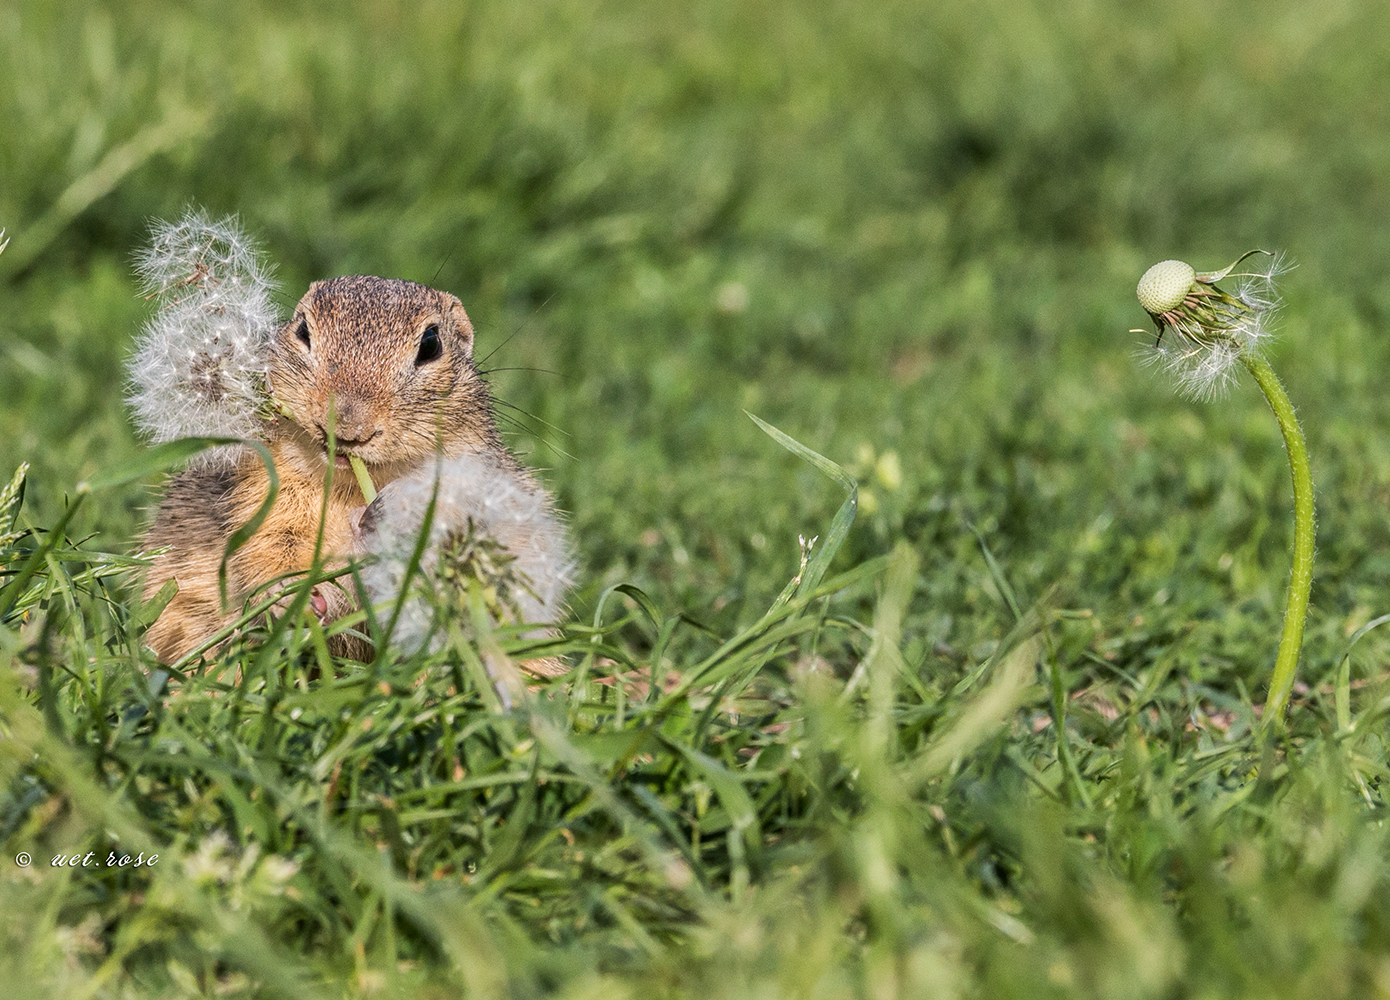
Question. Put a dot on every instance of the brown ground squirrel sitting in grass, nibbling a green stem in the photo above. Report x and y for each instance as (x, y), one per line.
(393, 362)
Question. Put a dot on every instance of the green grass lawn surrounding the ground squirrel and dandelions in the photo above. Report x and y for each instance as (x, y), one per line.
(999, 738)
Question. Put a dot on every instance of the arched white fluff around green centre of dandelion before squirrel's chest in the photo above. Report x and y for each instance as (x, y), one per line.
(502, 504)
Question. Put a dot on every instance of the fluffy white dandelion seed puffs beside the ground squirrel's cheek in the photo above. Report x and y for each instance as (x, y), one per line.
(199, 365)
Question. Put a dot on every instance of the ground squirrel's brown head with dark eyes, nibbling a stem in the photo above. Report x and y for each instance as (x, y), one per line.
(390, 366)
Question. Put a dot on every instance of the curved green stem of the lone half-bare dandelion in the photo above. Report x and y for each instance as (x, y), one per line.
(1300, 583)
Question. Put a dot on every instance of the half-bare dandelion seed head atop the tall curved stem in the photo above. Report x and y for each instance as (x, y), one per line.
(1213, 329)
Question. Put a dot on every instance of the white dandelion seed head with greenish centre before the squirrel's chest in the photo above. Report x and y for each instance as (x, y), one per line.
(491, 524)
